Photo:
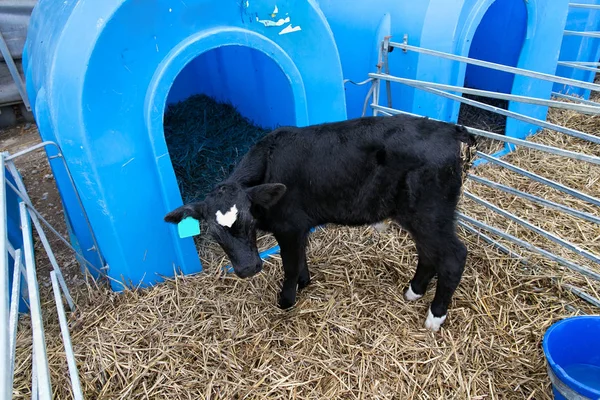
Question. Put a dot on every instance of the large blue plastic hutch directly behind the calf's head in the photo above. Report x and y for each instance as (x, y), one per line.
(100, 74)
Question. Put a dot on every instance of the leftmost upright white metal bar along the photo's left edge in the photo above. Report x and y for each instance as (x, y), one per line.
(5, 384)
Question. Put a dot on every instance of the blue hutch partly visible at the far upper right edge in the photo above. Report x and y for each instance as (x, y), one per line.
(579, 48)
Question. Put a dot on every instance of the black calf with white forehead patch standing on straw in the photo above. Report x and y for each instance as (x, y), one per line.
(354, 172)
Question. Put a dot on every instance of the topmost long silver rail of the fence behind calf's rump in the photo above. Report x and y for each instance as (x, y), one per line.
(500, 67)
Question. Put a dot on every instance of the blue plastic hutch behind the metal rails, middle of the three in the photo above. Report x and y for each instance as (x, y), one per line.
(525, 34)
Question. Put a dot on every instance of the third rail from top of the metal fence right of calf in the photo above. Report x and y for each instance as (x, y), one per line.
(511, 114)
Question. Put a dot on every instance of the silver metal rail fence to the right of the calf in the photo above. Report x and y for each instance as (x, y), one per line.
(479, 228)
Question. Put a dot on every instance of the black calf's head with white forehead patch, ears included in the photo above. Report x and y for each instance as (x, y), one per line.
(227, 210)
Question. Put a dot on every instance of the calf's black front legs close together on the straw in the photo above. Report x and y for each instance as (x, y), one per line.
(293, 255)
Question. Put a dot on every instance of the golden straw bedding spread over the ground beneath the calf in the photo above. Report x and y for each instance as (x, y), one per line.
(351, 336)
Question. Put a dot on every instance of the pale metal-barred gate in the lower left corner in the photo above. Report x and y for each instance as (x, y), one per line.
(24, 268)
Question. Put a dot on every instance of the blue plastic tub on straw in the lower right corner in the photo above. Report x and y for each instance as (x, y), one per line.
(572, 349)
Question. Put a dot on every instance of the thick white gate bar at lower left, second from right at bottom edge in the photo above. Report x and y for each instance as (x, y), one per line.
(39, 343)
